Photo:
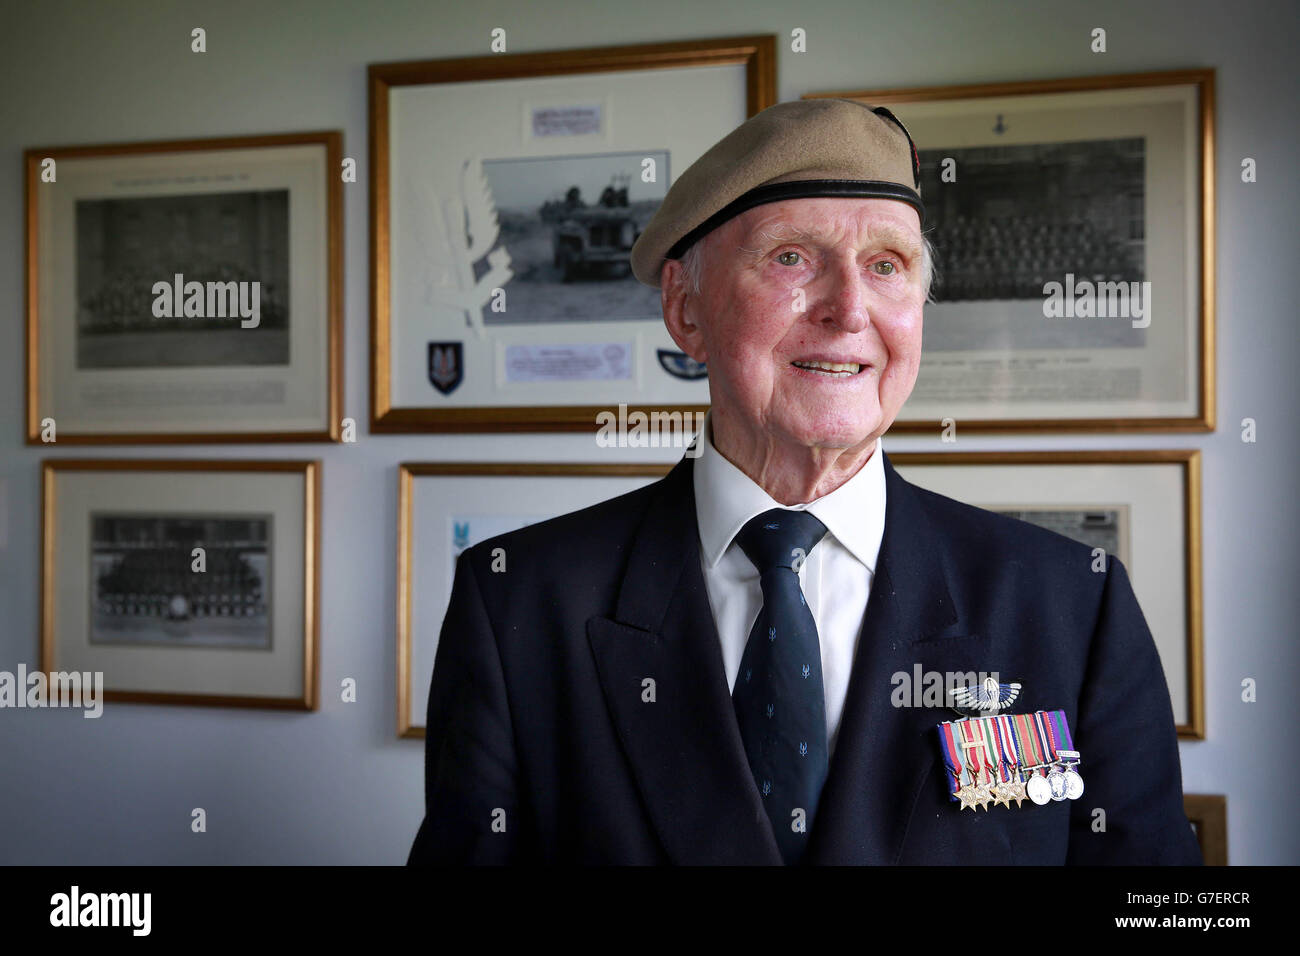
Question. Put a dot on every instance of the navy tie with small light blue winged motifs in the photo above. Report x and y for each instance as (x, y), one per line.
(781, 704)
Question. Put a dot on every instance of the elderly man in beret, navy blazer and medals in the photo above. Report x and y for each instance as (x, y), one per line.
(703, 672)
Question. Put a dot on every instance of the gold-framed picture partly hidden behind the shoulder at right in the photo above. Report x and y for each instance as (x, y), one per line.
(1142, 507)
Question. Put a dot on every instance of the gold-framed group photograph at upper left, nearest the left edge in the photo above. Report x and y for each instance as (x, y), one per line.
(185, 292)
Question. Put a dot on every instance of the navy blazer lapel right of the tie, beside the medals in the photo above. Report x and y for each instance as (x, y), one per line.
(883, 754)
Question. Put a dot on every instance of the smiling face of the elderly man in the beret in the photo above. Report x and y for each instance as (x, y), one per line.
(790, 287)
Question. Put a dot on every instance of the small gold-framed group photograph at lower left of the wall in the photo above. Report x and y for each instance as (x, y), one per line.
(184, 582)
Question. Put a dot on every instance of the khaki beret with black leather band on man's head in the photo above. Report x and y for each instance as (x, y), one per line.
(822, 148)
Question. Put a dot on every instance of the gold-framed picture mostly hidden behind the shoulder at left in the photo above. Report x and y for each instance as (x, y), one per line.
(447, 508)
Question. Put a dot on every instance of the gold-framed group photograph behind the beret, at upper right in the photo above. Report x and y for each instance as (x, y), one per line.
(1073, 223)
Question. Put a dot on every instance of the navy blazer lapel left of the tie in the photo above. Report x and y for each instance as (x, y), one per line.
(684, 746)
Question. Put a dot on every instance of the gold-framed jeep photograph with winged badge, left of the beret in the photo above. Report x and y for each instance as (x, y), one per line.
(506, 196)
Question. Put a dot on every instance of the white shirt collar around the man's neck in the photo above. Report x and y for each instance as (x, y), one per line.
(726, 499)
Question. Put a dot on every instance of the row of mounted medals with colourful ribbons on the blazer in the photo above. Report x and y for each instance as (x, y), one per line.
(1011, 758)
